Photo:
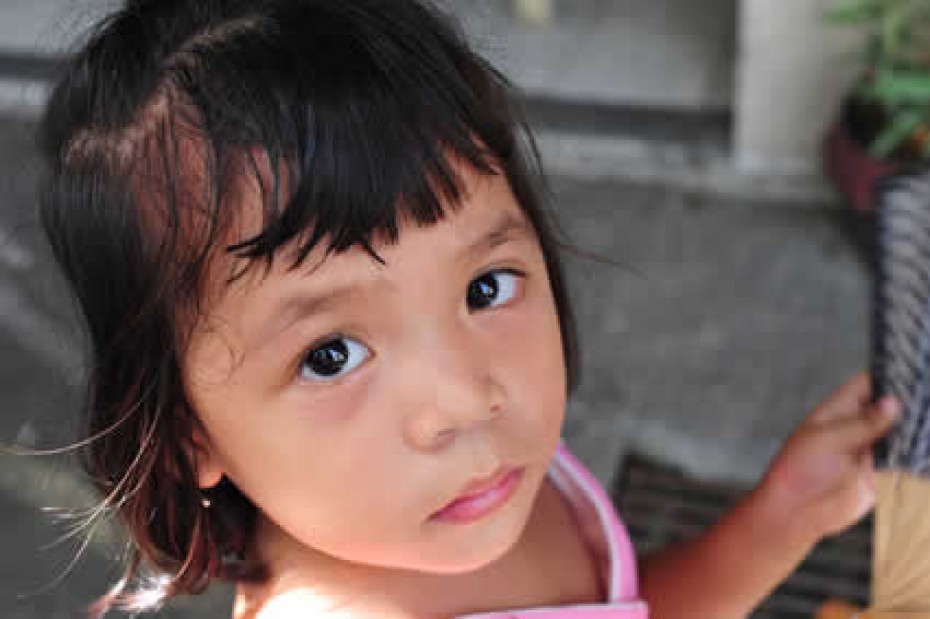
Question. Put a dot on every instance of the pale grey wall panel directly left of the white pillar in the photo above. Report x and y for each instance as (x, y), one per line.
(669, 53)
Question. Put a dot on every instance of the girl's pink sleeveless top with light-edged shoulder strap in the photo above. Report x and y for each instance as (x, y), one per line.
(608, 539)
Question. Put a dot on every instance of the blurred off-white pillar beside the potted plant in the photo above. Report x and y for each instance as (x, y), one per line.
(793, 70)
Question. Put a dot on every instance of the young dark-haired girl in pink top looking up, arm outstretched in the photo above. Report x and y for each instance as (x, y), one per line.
(331, 341)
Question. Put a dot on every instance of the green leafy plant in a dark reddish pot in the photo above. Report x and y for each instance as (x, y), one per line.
(884, 123)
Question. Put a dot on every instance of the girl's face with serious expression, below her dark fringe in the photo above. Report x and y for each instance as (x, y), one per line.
(352, 401)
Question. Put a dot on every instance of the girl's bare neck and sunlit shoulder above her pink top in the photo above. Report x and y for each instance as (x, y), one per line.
(310, 583)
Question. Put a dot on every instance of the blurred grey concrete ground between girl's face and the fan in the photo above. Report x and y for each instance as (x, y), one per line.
(732, 320)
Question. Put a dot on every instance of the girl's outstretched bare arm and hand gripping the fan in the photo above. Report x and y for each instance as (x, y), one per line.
(821, 482)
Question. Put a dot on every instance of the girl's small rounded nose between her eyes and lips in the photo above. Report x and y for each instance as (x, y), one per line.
(451, 387)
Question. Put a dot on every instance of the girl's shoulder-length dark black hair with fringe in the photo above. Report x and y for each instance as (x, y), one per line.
(348, 113)
